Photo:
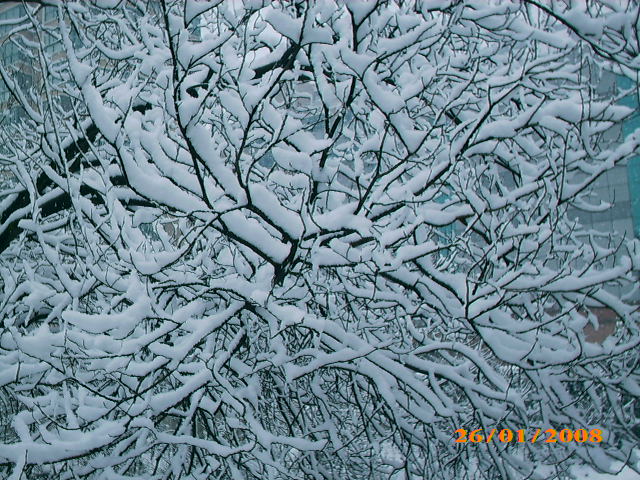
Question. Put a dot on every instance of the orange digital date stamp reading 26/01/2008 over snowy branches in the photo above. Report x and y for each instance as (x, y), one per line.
(550, 435)
